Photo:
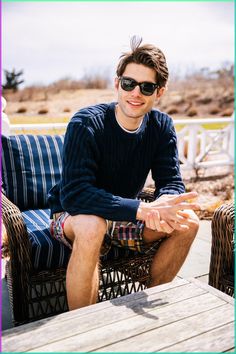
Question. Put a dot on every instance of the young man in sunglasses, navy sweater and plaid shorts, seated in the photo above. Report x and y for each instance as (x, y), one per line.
(109, 150)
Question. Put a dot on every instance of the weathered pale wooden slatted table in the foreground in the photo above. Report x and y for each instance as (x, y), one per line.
(181, 316)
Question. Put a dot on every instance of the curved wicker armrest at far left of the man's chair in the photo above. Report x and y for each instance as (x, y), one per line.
(17, 248)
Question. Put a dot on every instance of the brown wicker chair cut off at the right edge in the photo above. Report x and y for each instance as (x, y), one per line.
(221, 273)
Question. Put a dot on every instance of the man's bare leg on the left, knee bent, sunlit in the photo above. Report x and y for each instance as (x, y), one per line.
(87, 233)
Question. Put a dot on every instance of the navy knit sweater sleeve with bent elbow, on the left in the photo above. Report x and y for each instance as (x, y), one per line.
(78, 192)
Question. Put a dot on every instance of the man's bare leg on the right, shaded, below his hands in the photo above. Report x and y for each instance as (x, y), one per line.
(172, 252)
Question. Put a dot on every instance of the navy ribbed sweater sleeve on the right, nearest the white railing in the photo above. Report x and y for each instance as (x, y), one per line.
(165, 167)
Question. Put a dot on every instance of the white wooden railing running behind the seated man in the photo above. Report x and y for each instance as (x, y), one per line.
(198, 147)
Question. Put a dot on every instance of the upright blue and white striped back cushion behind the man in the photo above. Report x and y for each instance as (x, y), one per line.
(31, 165)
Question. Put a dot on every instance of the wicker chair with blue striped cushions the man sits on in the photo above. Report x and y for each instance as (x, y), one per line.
(36, 263)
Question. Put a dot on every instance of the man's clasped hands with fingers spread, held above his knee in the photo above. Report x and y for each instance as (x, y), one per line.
(164, 214)
